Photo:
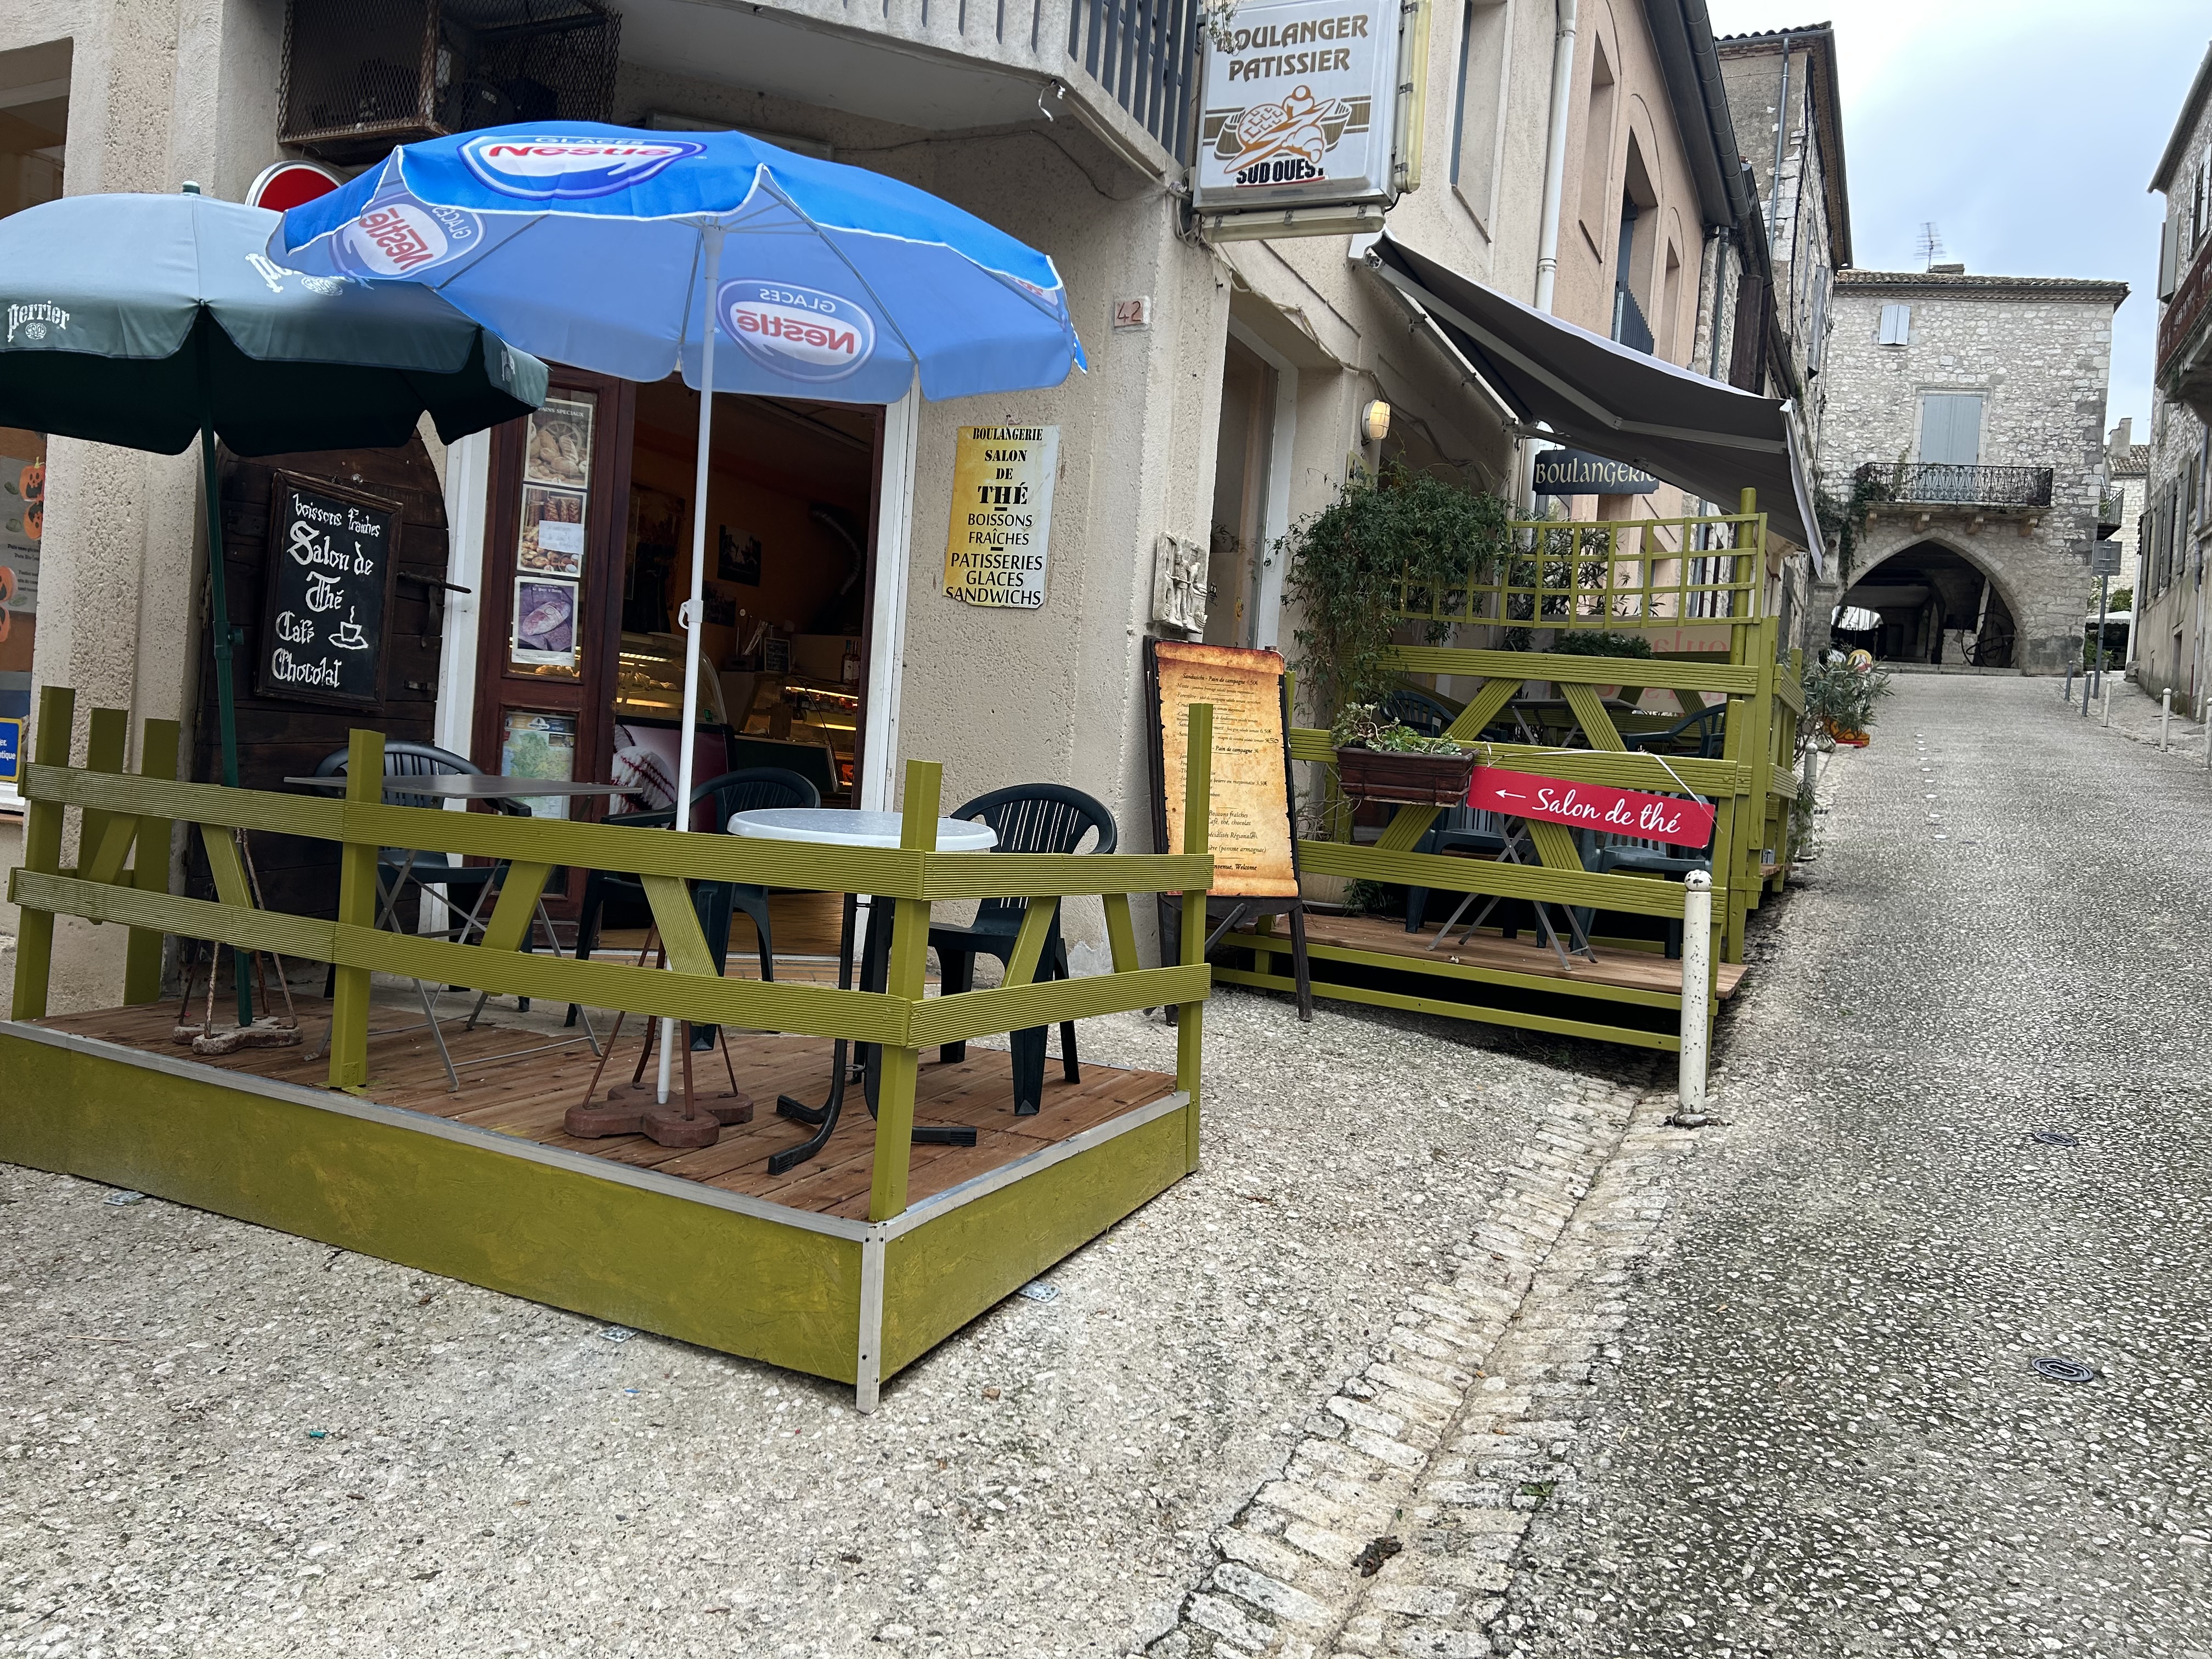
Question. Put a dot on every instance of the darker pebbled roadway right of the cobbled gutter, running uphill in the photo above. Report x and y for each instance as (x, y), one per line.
(1919, 1361)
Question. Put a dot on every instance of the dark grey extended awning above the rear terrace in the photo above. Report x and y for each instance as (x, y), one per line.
(1594, 395)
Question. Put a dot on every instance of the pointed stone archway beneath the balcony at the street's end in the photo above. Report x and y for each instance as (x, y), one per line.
(2027, 570)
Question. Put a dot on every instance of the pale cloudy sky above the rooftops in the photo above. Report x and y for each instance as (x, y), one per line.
(2025, 129)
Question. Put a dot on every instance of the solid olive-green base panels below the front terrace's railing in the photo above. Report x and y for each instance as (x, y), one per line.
(851, 1302)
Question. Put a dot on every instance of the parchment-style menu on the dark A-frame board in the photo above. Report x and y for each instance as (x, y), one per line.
(1249, 828)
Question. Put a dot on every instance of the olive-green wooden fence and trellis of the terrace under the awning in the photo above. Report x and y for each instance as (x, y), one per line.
(1580, 578)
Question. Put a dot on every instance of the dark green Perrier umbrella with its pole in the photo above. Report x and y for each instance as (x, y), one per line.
(149, 322)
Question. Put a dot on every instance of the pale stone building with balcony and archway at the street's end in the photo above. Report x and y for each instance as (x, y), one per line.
(1979, 408)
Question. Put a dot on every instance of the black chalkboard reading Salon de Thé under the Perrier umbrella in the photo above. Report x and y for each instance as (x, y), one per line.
(331, 561)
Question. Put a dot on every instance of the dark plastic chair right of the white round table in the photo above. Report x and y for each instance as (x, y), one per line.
(1027, 817)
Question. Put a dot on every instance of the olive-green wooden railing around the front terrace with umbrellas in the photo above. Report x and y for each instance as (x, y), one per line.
(123, 813)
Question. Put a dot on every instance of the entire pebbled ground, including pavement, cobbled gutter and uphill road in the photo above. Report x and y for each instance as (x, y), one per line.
(1530, 1375)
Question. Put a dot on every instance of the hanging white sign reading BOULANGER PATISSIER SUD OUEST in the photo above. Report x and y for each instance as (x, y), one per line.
(1300, 105)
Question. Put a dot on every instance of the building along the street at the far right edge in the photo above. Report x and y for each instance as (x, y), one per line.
(2171, 634)
